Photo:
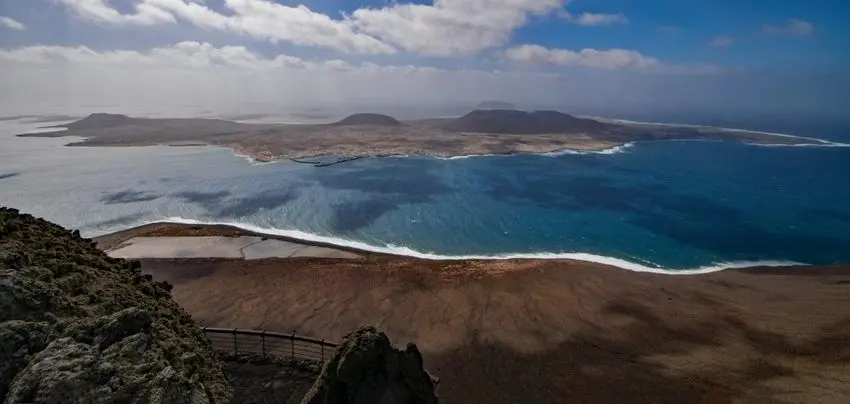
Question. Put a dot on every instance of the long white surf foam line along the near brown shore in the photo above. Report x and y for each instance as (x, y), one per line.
(409, 252)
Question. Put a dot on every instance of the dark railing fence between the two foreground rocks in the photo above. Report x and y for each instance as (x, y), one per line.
(236, 341)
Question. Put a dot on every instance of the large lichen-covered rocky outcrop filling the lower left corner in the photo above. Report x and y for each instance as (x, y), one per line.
(77, 326)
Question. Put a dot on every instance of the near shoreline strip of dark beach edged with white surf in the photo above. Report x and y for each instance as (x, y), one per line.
(187, 227)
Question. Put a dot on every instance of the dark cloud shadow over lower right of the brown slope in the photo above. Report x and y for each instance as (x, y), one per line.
(616, 366)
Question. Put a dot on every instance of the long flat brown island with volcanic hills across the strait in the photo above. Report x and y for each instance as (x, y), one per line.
(480, 132)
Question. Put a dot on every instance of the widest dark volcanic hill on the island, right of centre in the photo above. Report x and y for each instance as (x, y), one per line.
(522, 122)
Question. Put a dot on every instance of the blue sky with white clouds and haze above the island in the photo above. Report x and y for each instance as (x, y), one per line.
(593, 56)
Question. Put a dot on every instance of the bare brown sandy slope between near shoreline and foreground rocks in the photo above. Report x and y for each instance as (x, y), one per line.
(556, 331)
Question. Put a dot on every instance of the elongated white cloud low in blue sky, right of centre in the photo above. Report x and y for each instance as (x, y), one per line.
(591, 58)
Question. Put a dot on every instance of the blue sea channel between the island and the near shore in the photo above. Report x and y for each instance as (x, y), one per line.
(653, 206)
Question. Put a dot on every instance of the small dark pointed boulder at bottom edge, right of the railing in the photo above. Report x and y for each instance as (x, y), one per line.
(367, 368)
